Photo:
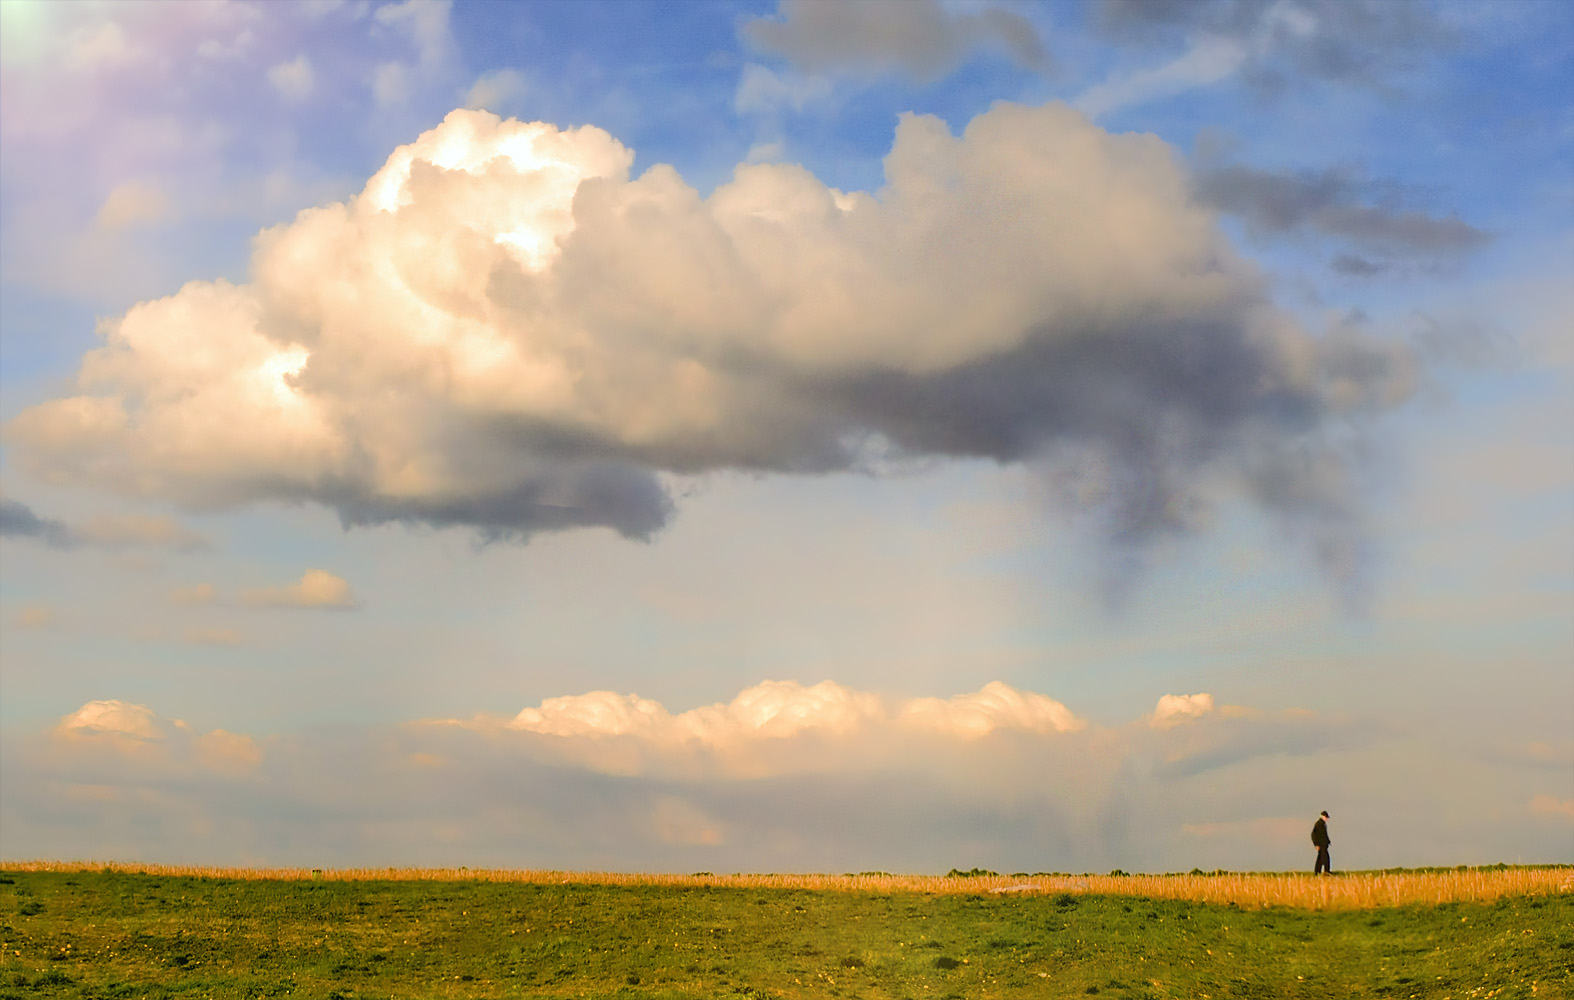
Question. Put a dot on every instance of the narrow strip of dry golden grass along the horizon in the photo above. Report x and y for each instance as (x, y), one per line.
(1353, 891)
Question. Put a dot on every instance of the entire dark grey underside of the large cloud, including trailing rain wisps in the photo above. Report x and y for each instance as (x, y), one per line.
(1136, 423)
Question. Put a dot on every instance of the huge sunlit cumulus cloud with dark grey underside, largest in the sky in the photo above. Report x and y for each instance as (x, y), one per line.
(509, 331)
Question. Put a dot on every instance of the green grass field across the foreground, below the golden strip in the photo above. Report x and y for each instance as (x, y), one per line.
(127, 935)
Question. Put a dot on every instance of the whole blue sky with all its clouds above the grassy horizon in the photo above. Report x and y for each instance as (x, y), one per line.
(788, 437)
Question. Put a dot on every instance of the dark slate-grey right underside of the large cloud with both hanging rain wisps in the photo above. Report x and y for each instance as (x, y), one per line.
(1134, 431)
